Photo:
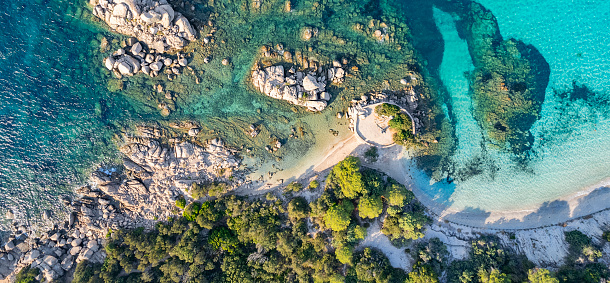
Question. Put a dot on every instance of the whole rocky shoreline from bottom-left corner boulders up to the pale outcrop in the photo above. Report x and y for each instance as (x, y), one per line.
(155, 175)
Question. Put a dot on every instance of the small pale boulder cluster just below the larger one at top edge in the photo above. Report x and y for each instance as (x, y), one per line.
(134, 58)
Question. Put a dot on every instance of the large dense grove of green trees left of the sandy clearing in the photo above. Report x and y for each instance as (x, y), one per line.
(237, 239)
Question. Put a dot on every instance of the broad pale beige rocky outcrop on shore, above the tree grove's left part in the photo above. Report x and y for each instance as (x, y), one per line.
(157, 174)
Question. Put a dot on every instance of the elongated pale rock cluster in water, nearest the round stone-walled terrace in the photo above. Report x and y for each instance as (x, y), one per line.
(307, 89)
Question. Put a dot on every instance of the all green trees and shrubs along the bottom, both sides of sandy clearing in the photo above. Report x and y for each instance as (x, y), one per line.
(239, 239)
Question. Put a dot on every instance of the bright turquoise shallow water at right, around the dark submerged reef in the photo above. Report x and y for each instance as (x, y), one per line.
(572, 137)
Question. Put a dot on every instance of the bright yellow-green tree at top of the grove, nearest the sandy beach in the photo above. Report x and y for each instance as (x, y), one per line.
(348, 174)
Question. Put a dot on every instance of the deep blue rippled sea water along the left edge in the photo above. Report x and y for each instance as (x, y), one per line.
(56, 117)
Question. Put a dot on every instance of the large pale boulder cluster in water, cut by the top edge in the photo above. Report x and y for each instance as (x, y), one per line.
(151, 21)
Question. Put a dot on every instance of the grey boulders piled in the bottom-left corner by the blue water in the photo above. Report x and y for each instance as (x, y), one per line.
(58, 250)
